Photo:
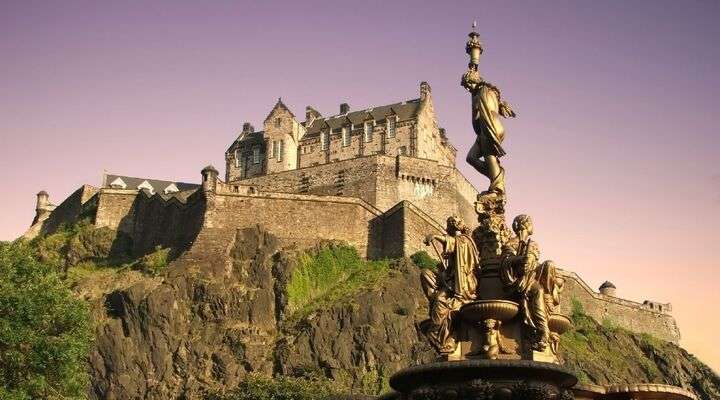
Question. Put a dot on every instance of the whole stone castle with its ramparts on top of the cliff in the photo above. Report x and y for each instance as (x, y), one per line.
(379, 178)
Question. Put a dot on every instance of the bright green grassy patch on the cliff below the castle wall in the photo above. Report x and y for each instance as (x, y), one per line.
(329, 274)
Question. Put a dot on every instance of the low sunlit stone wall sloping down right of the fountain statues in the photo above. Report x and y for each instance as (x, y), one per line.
(624, 313)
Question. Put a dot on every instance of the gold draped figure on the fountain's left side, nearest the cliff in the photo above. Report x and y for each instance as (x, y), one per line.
(454, 284)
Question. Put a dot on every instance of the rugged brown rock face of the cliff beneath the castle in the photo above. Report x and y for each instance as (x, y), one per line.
(220, 312)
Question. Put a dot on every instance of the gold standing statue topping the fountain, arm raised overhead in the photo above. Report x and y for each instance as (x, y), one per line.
(487, 108)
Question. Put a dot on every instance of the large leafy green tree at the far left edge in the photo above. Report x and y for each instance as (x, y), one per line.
(45, 333)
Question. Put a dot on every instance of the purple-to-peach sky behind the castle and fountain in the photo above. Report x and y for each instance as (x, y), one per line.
(614, 151)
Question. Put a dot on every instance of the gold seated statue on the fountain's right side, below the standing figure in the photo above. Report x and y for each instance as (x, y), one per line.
(531, 281)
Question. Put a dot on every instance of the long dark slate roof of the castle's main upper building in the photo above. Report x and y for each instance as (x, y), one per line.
(405, 110)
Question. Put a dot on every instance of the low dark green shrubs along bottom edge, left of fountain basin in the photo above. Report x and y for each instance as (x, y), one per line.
(256, 387)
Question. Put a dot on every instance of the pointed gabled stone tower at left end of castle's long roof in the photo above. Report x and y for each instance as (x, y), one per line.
(282, 135)
